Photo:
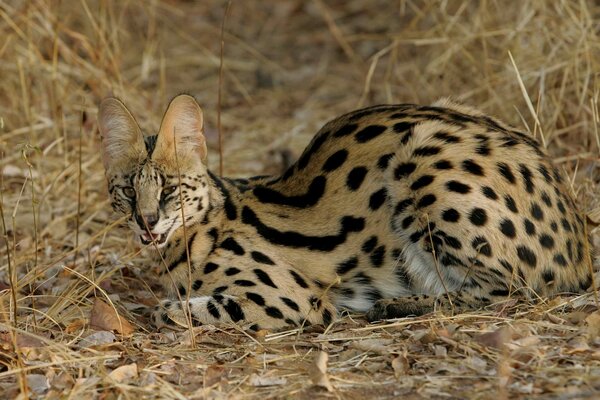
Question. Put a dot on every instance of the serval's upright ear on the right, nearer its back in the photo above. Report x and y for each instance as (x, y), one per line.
(182, 130)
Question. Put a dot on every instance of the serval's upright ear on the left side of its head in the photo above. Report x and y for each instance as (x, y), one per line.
(122, 139)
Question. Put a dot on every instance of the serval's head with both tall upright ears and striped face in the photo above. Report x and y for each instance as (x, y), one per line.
(157, 180)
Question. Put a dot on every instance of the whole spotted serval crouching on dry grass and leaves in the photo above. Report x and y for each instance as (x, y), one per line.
(391, 209)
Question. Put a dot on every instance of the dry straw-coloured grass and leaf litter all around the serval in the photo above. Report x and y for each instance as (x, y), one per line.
(288, 67)
